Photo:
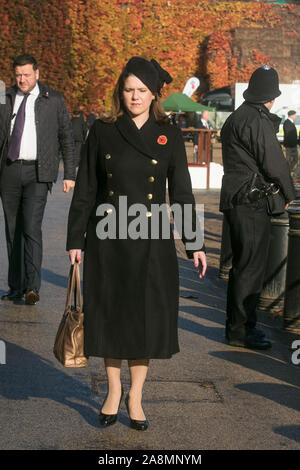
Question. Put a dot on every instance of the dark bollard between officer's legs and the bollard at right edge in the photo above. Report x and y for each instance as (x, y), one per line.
(272, 297)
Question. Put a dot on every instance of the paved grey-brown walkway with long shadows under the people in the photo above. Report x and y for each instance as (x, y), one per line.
(209, 396)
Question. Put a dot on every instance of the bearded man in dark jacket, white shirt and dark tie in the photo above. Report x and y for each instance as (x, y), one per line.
(34, 127)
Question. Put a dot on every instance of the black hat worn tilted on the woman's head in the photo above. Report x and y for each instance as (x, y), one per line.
(149, 72)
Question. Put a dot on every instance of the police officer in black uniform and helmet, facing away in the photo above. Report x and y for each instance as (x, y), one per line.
(253, 163)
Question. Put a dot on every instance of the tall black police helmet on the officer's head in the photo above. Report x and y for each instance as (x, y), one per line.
(263, 85)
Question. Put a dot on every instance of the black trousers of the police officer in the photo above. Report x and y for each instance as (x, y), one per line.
(250, 237)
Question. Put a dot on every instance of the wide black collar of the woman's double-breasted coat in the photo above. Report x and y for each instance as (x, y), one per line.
(136, 137)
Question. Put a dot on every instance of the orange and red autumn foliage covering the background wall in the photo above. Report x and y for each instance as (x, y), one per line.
(82, 45)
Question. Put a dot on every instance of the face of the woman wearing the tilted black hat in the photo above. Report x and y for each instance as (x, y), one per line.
(137, 97)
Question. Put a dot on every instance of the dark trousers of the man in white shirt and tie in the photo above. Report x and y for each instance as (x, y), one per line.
(23, 200)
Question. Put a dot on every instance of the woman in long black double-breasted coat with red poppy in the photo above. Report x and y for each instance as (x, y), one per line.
(130, 275)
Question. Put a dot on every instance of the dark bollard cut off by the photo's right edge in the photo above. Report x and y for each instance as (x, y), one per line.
(291, 312)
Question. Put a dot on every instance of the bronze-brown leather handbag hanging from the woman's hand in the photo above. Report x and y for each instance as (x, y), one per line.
(69, 341)
